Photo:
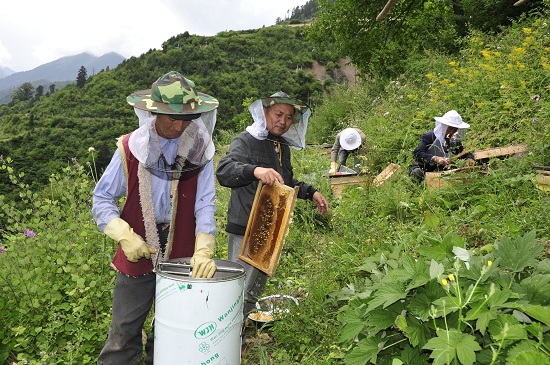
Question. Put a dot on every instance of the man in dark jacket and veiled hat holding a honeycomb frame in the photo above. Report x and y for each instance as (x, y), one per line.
(262, 153)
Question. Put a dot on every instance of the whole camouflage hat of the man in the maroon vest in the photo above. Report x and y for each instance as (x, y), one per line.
(172, 93)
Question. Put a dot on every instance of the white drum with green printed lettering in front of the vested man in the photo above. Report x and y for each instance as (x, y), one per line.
(198, 321)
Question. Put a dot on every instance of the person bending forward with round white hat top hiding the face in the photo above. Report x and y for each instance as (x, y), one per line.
(350, 141)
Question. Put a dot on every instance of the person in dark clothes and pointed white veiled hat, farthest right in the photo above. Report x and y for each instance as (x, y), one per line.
(436, 146)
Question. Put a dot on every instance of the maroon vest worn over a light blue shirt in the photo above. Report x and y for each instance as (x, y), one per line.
(183, 244)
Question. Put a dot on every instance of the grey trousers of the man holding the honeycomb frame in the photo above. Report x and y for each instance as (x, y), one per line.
(255, 280)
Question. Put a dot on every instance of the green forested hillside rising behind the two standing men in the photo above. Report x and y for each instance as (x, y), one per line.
(43, 135)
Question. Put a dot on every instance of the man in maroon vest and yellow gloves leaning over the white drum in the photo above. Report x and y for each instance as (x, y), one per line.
(165, 170)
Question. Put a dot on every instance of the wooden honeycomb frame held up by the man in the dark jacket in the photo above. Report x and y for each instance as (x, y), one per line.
(268, 226)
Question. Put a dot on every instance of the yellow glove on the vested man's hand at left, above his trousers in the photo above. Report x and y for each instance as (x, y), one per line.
(133, 246)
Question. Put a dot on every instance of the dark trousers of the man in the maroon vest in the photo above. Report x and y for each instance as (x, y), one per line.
(132, 301)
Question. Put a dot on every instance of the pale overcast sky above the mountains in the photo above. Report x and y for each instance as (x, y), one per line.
(35, 32)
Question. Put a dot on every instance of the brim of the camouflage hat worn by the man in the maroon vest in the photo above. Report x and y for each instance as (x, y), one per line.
(142, 100)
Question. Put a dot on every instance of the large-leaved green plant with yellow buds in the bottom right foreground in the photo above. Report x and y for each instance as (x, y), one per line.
(449, 305)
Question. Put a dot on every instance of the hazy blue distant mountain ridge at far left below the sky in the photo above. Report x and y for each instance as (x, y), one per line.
(57, 72)
